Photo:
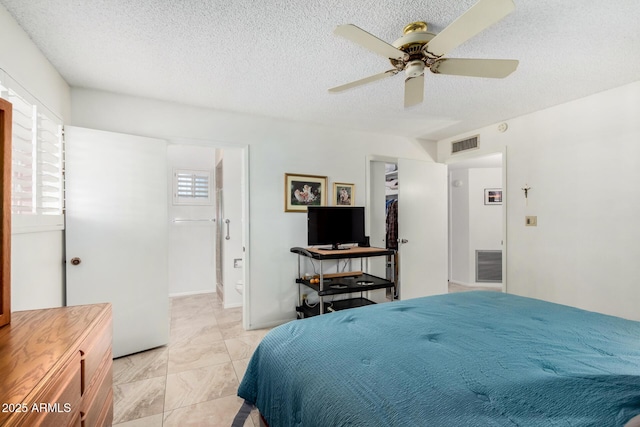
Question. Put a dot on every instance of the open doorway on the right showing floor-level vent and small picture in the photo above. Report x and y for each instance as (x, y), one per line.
(477, 255)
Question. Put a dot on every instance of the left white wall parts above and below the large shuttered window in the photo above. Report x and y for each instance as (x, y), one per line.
(37, 267)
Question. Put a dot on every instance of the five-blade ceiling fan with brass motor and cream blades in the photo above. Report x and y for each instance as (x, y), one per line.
(419, 49)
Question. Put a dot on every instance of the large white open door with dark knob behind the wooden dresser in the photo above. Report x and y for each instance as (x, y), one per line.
(117, 232)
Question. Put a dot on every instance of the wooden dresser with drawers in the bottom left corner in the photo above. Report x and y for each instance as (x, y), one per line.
(56, 367)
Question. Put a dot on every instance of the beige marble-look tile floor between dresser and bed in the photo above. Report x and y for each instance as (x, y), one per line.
(193, 380)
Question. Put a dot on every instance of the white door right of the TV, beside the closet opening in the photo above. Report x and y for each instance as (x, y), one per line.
(422, 228)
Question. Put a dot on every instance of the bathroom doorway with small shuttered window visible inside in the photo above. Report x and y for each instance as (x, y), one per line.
(207, 234)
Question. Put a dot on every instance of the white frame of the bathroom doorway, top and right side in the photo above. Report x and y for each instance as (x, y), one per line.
(246, 277)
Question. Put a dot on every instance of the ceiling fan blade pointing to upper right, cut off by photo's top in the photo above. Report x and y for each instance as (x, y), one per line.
(479, 17)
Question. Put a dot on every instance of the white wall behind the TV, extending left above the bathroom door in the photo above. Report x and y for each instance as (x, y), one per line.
(275, 148)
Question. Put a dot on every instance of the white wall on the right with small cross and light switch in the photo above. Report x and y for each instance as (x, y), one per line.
(582, 162)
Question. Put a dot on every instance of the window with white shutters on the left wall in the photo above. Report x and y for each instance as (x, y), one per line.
(37, 179)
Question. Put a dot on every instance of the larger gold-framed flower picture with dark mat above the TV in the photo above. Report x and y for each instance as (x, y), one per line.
(301, 191)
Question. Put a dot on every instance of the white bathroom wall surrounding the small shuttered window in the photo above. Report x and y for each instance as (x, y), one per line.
(191, 240)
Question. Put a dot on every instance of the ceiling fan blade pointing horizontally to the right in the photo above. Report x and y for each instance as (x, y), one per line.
(491, 68)
